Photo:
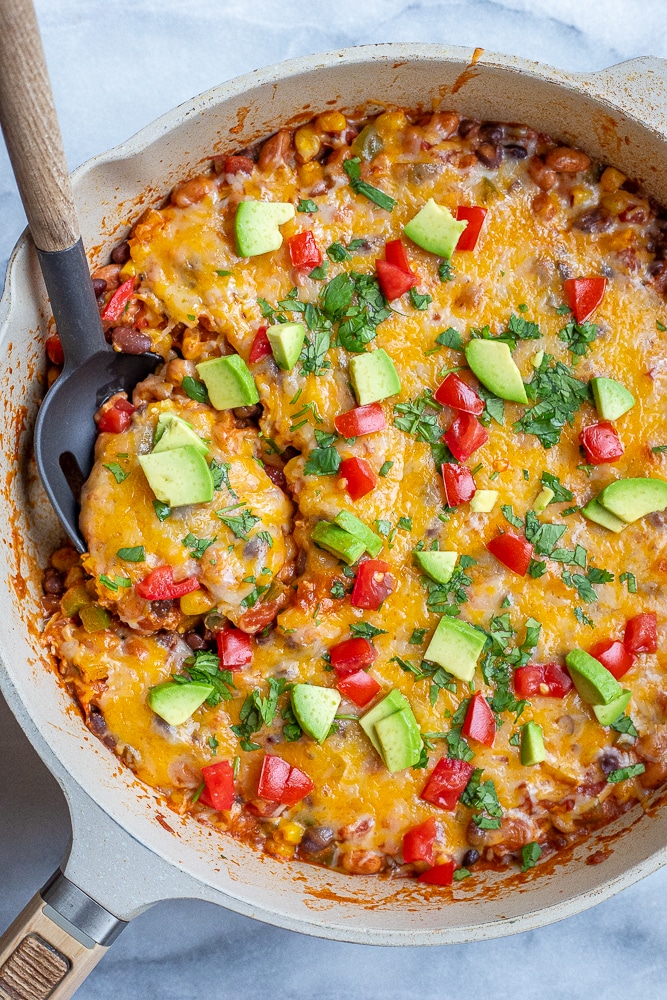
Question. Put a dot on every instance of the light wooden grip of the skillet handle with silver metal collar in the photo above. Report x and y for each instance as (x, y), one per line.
(54, 943)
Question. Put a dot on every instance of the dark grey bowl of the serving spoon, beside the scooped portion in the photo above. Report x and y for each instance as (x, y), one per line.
(65, 432)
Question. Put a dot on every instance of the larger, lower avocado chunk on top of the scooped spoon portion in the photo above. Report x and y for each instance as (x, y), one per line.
(179, 476)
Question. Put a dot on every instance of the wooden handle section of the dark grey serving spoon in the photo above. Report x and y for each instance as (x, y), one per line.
(31, 130)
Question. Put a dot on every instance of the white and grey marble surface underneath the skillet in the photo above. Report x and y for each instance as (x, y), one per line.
(114, 67)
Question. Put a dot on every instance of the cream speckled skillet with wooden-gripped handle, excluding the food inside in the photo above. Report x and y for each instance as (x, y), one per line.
(128, 850)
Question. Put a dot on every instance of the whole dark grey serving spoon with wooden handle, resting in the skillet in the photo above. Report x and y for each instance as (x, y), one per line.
(65, 431)
